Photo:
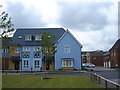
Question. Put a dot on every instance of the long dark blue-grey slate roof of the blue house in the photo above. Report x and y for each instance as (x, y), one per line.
(57, 32)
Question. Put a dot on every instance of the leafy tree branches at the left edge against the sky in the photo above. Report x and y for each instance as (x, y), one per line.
(6, 27)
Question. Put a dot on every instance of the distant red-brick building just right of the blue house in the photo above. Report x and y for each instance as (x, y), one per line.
(94, 57)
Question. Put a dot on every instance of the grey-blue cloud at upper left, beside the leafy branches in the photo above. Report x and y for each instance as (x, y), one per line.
(24, 17)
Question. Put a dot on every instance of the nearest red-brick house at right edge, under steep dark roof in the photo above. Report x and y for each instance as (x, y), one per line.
(115, 54)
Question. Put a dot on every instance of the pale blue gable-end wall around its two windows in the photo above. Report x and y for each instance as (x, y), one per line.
(75, 52)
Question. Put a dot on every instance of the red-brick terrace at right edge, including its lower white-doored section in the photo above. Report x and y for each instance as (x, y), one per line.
(112, 57)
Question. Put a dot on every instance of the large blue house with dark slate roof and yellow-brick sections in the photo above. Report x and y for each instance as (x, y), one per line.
(25, 50)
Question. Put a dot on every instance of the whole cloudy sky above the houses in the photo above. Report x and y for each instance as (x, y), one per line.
(94, 23)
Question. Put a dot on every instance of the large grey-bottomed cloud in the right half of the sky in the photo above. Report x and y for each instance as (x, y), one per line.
(84, 16)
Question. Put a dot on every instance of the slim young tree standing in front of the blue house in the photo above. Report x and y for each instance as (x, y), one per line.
(48, 46)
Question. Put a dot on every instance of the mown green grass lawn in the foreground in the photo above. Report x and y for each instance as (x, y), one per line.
(57, 81)
